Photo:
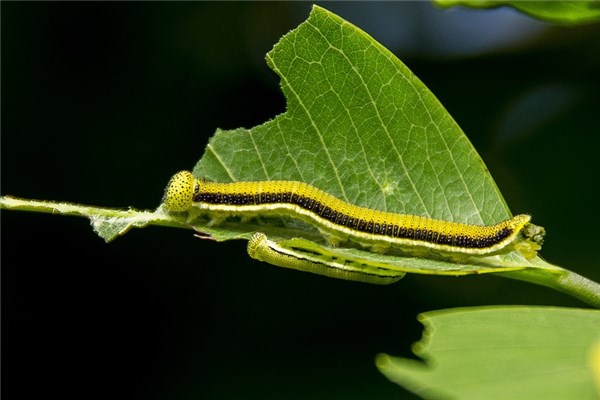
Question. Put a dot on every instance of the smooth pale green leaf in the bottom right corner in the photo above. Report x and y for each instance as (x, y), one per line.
(502, 353)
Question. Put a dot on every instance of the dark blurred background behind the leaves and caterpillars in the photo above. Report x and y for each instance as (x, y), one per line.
(103, 102)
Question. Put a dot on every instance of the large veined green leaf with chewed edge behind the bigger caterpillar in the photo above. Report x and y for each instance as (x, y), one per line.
(361, 126)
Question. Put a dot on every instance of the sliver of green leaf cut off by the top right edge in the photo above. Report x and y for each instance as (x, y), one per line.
(564, 12)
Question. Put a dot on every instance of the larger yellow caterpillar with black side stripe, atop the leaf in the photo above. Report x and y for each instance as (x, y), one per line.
(342, 221)
